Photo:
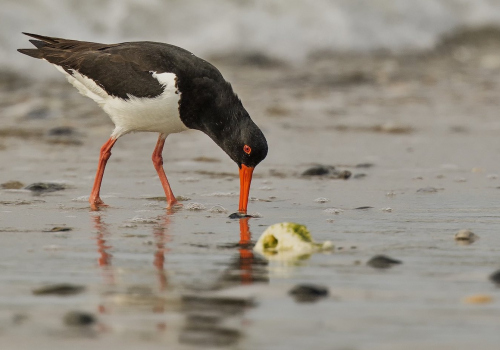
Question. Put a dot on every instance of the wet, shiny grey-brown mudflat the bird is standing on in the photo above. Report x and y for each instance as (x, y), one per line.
(419, 136)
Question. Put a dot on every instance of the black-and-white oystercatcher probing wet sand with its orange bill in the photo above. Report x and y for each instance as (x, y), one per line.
(156, 87)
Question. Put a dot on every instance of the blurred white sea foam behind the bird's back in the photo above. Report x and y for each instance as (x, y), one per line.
(282, 28)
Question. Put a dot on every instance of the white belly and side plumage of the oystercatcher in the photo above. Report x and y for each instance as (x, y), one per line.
(159, 114)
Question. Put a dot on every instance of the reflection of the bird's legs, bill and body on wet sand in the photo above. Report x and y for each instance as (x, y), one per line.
(209, 317)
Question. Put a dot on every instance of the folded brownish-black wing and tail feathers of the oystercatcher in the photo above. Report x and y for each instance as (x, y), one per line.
(122, 69)
